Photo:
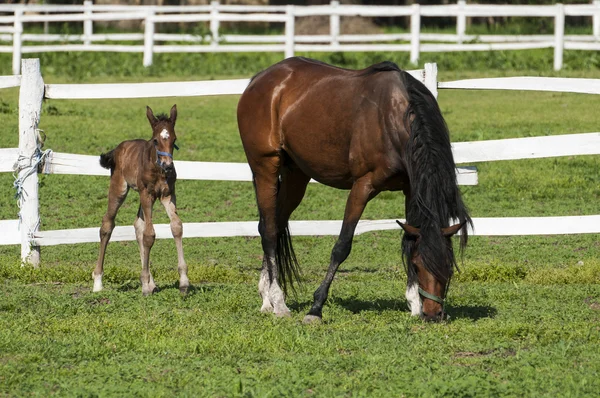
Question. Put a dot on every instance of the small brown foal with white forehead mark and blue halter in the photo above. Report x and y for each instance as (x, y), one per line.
(146, 167)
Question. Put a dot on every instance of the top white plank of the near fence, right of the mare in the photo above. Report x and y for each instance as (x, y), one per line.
(556, 84)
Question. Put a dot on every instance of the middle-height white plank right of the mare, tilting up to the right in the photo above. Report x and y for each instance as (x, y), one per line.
(527, 148)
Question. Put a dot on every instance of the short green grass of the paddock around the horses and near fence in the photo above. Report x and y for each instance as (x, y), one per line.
(525, 311)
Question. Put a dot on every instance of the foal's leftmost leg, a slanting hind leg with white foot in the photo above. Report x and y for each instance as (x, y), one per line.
(116, 196)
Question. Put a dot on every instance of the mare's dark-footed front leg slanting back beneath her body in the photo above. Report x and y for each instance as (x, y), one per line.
(360, 194)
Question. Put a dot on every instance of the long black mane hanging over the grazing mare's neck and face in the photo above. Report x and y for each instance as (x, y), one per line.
(435, 198)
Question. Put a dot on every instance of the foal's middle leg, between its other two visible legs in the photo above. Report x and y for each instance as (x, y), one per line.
(145, 235)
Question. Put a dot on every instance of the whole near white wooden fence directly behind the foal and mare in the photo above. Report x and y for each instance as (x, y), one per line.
(25, 159)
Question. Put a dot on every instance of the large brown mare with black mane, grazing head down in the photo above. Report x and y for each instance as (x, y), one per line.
(371, 130)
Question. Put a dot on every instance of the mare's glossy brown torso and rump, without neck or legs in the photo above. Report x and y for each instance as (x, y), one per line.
(335, 124)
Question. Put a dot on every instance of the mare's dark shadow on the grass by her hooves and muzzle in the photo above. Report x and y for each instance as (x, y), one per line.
(357, 306)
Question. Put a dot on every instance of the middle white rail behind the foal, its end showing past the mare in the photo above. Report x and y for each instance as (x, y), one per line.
(68, 163)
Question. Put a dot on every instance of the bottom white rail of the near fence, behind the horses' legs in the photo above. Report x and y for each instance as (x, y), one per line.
(503, 226)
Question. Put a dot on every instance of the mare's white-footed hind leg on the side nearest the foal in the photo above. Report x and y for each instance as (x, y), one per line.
(265, 183)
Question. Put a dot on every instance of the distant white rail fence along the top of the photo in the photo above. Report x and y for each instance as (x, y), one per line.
(12, 29)
